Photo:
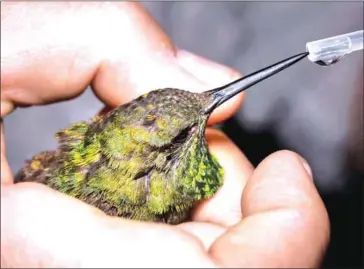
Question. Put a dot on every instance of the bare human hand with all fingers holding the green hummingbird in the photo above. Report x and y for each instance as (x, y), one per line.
(268, 216)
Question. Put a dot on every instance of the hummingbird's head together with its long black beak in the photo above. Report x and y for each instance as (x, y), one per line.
(169, 118)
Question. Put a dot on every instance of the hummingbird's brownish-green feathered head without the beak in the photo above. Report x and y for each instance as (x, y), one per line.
(170, 116)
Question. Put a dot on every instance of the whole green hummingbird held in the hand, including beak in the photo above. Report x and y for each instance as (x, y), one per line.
(146, 160)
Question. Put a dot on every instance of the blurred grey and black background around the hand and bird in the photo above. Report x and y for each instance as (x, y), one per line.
(313, 110)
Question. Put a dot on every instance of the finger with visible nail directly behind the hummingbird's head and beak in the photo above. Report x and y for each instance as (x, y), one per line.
(183, 71)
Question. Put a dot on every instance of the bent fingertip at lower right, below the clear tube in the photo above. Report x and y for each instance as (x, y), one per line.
(285, 224)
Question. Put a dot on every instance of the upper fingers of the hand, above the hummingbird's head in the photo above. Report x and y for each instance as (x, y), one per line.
(116, 47)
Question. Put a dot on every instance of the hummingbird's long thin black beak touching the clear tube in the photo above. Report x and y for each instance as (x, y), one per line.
(224, 93)
